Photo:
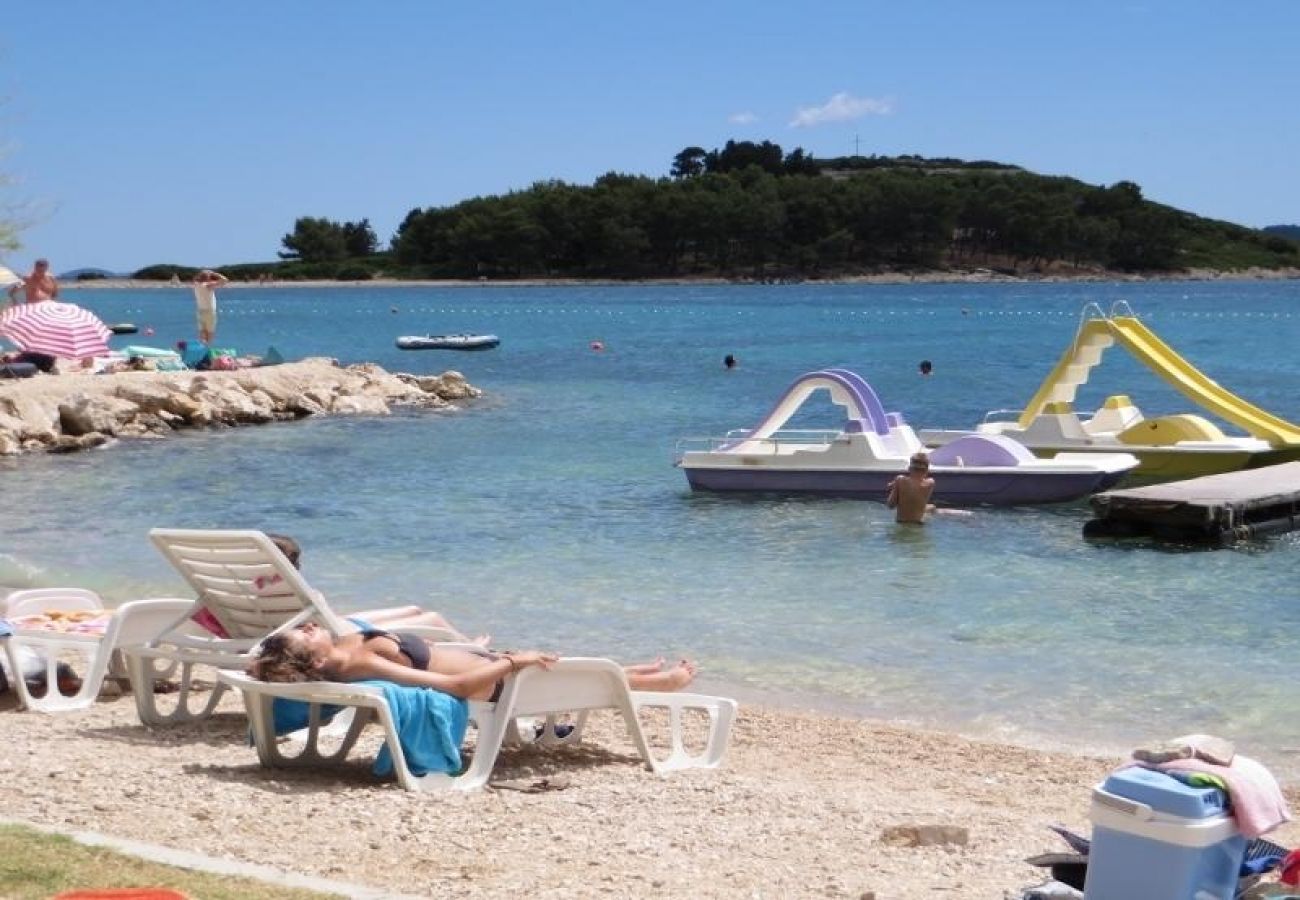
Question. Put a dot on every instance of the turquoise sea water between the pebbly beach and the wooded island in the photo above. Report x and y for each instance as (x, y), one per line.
(551, 516)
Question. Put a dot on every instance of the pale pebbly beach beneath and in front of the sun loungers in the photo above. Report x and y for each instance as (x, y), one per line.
(801, 808)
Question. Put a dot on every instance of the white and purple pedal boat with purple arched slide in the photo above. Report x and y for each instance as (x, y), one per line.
(872, 447)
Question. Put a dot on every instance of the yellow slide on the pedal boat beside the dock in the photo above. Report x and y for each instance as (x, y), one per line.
(1097, 335)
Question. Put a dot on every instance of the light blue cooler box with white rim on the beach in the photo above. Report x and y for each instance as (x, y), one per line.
(1155, 838)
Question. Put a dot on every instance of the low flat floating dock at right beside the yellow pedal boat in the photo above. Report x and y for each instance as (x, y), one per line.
(1216, 509)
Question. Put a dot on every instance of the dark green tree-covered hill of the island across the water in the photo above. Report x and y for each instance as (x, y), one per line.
(751, 210)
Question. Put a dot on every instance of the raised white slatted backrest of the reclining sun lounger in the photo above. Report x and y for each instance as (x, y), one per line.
(244, 579)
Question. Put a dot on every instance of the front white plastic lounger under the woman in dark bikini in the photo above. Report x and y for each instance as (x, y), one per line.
(573, 685)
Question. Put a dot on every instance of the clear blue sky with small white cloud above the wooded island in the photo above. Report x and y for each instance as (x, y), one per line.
(196, 133)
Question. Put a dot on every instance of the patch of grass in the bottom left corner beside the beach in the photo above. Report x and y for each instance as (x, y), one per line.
(36, 867)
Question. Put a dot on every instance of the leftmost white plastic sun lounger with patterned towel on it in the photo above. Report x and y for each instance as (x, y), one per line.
(96, 648)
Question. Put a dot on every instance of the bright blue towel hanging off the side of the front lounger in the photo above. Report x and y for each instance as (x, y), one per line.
(431, 729)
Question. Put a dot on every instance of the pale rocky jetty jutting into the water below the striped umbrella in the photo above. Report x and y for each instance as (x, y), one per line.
(70, 413)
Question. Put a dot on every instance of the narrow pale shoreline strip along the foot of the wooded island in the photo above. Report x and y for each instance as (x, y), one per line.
(885, 279)
